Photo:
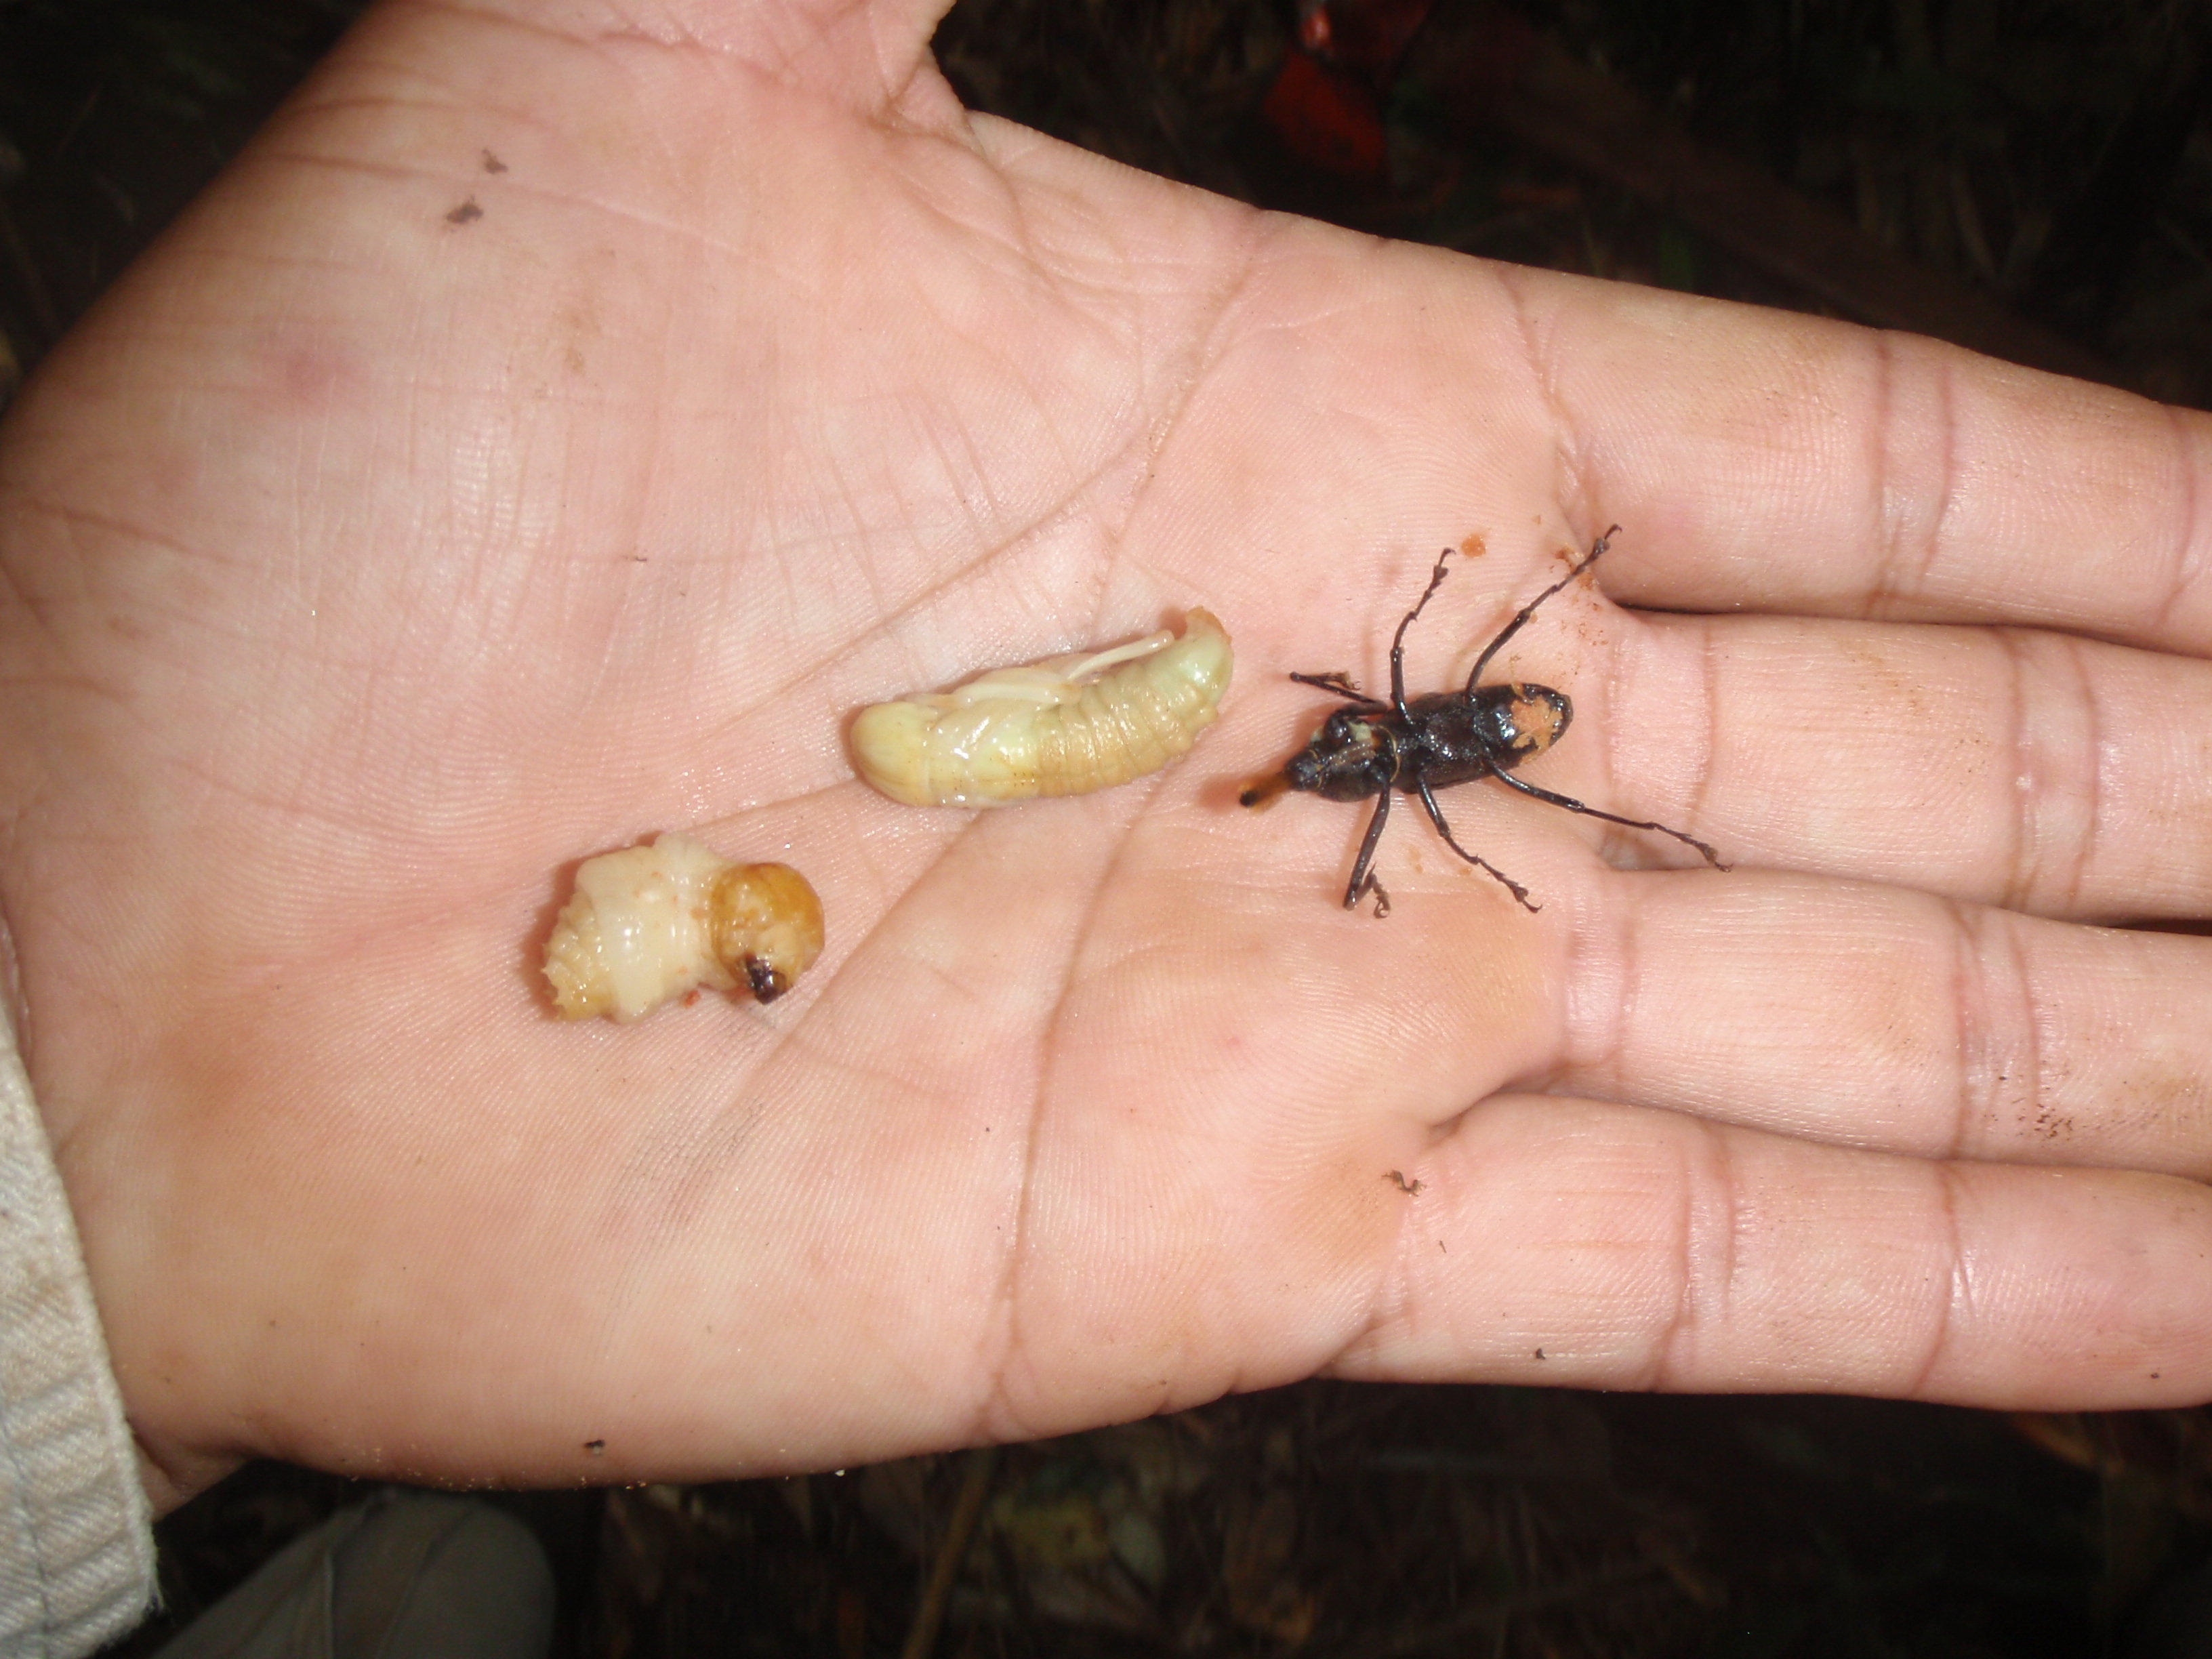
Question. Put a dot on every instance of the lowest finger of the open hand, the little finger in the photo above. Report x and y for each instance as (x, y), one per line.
(1563, 1242)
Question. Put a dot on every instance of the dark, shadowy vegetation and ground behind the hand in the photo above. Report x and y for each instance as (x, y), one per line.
(2032, 178)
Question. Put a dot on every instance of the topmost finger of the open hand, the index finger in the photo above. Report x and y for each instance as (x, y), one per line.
(1780, 463)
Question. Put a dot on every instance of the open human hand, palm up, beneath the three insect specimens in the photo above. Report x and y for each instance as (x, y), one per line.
(561, 421)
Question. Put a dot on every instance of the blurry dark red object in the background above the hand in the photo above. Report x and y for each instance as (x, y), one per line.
(1324, 103)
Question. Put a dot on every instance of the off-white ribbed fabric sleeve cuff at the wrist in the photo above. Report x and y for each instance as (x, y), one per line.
(76, 1541)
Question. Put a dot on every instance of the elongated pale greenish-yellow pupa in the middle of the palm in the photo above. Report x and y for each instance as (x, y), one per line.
(1061, 727)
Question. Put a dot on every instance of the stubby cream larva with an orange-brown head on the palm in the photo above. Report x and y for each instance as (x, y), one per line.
(651, 924)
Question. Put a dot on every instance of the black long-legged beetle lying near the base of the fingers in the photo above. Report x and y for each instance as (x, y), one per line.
(1428, 744)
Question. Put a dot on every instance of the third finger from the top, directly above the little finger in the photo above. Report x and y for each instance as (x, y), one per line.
(1886, 1019)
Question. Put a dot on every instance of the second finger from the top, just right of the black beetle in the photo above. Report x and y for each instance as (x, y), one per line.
(2018, 769)
